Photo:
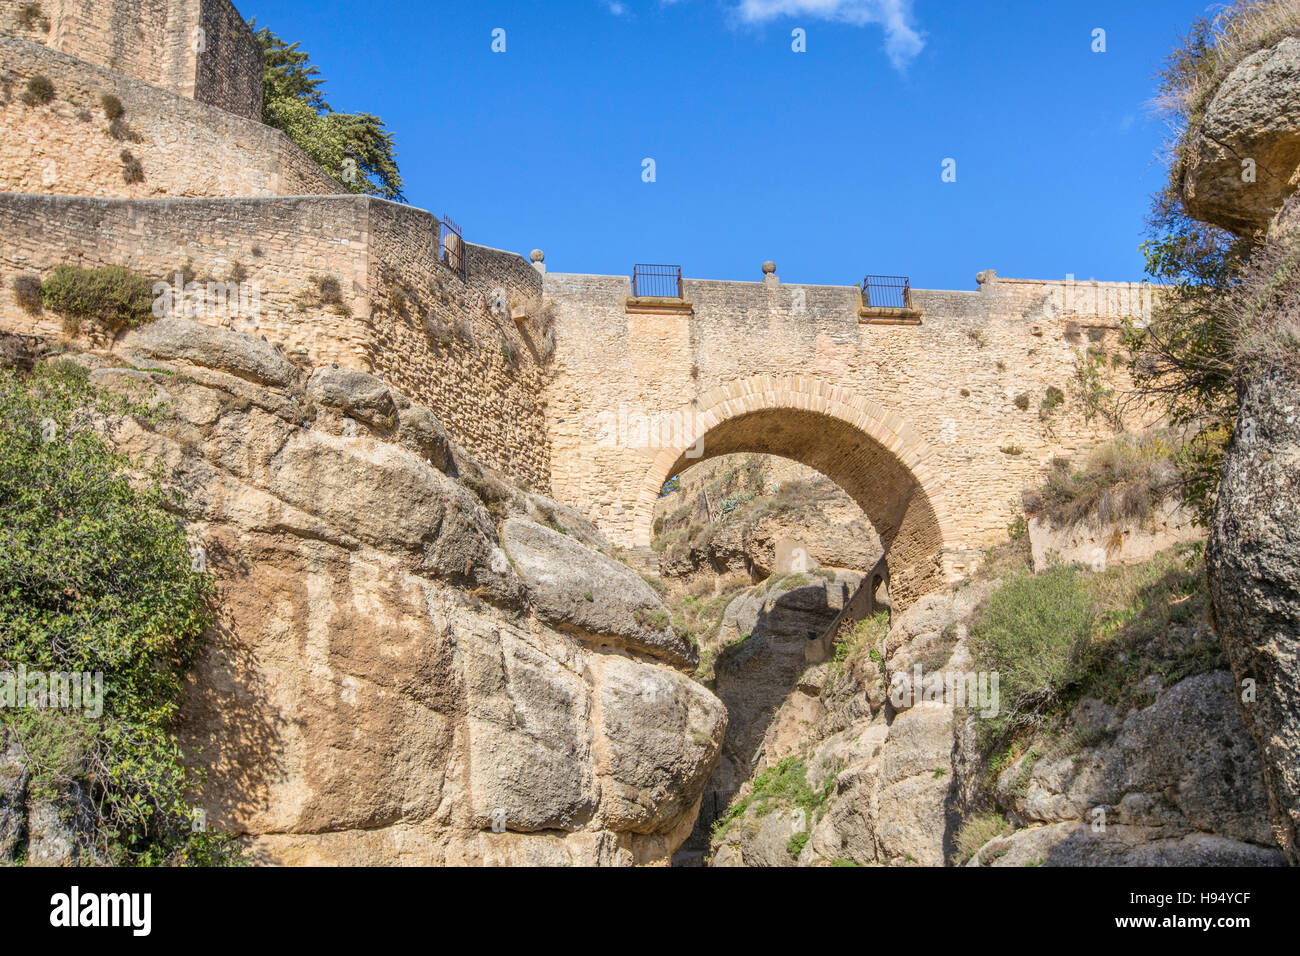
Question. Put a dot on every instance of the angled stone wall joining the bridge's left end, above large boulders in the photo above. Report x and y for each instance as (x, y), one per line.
(402, 314)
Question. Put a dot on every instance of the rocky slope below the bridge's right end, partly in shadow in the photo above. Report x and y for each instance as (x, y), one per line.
(890, 778)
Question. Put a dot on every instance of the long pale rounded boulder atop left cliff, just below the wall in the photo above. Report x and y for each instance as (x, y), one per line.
(214, 348)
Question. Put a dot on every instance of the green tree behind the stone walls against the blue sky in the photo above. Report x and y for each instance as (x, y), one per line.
(356, 149)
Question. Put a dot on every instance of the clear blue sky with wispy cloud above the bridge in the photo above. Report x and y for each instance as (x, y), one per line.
(829, 162)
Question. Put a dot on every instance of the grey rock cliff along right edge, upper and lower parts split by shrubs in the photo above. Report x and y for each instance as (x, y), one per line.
(1254, 119)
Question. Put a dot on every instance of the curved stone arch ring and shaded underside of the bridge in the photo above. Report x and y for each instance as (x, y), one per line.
(869, 451)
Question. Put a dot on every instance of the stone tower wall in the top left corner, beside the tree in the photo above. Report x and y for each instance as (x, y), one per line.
(197, 49)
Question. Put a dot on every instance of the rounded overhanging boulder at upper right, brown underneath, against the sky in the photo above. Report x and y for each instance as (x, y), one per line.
(1254, 116)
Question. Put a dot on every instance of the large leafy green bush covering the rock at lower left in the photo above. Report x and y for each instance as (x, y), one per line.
(97, 578)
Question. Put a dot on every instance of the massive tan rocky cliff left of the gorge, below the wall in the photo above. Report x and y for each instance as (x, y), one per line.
(417, 663)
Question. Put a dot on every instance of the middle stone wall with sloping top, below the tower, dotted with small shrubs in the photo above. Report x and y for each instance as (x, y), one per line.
(185, 149)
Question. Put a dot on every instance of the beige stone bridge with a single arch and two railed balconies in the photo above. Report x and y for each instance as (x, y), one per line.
(933, 419)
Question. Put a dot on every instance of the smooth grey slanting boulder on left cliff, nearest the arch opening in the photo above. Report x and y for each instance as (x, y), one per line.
(574, 587)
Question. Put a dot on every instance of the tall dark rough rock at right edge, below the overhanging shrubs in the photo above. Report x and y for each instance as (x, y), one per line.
(1254, 563)
